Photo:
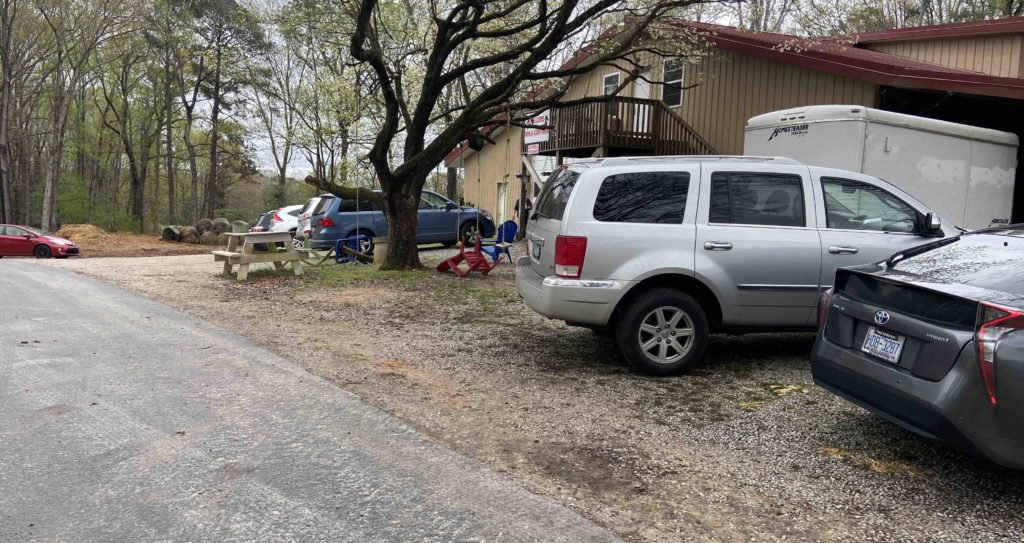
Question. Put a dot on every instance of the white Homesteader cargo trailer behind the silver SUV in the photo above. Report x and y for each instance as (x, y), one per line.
(963, 173)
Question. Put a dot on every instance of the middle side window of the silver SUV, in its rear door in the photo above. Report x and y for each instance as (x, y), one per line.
(756, 198)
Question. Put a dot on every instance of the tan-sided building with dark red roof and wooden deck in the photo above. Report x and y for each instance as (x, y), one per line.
(970, 73)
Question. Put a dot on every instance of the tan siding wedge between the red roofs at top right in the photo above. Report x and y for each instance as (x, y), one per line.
(995, 56)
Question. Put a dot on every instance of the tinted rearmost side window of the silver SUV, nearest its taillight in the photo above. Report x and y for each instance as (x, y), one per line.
(644, 197)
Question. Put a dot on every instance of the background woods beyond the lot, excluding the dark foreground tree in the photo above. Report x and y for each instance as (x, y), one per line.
(134, 114)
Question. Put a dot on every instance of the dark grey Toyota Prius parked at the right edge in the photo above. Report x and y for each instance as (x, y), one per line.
(933, 341)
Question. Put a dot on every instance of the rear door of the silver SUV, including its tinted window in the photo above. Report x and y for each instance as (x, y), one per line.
(757, 244)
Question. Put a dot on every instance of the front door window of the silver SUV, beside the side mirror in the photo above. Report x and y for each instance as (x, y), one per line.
(856, 205)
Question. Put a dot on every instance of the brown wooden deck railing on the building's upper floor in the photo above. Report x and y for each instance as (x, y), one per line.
(636, 124)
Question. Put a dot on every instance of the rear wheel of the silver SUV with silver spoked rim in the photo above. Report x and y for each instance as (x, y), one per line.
(644, 324)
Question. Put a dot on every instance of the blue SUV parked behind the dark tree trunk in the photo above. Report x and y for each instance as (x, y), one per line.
(441, 221)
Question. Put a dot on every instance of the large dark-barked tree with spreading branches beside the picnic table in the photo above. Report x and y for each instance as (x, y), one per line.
(415, 58)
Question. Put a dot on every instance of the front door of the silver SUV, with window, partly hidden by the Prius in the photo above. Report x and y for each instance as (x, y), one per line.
(862, 222)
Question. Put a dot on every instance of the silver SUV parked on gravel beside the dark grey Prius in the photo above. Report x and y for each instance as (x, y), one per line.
(662, 252)
